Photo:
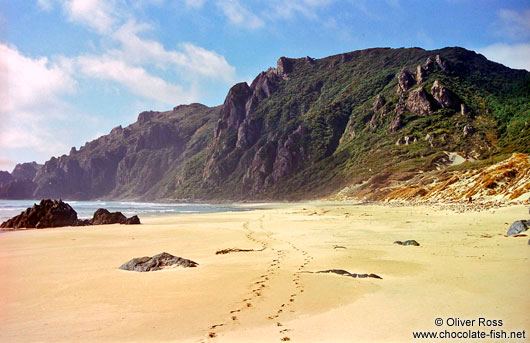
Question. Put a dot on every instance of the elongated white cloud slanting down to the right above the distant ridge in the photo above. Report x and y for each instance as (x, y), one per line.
(135, 78)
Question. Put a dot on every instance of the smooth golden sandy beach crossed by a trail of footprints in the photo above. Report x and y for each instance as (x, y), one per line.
(65, 285)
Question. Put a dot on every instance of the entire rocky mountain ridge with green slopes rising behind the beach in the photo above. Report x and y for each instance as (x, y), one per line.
(305, 129)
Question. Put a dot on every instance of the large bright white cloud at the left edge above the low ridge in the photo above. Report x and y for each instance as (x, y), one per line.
(30, 99)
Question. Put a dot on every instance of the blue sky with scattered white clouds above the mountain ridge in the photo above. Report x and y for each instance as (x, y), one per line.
(71, 70)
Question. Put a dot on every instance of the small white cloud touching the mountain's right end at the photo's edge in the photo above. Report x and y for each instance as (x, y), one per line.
(514, 56)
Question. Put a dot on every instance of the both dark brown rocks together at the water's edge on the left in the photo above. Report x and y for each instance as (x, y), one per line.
(56, 213)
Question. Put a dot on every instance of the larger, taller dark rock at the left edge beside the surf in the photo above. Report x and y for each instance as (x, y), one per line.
(48, 213)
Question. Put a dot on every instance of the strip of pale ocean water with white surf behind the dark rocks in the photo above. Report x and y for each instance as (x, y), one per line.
(85, 209)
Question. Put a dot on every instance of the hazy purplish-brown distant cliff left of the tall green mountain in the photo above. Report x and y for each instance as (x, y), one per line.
(128, 162)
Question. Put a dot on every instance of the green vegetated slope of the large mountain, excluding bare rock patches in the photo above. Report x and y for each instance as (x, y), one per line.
(333, 99)
